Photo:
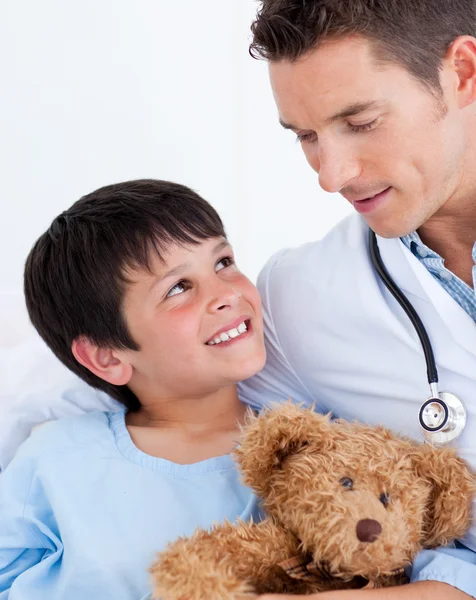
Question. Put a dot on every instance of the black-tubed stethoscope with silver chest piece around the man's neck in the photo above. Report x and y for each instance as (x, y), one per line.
(443, 416)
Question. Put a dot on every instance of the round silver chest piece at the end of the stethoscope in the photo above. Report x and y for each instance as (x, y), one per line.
(442, 418)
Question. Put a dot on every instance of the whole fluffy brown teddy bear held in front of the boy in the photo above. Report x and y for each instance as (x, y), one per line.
(347, 506)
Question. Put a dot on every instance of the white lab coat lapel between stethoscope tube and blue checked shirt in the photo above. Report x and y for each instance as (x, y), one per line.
(412, 277)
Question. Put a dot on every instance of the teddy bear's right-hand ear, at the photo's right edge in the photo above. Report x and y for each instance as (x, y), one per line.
(452, 484)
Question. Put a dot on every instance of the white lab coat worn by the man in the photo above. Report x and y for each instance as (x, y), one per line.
(338, 338)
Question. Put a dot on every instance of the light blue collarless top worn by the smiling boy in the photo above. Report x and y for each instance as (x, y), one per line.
(83, 512)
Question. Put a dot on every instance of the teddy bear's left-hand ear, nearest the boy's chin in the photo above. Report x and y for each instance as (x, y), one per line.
(272, 436)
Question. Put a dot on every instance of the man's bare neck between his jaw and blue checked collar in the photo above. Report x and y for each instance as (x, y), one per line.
(453, 238)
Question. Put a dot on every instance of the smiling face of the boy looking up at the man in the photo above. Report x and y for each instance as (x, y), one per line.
(177, 315)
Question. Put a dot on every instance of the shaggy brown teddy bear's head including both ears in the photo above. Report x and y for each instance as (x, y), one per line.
(361, 500)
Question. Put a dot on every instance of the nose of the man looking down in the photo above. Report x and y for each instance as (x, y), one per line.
(336, 167)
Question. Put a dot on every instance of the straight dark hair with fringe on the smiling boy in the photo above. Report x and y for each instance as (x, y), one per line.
(75, 274)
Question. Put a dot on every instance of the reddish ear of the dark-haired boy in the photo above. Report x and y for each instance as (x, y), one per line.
(103, 362)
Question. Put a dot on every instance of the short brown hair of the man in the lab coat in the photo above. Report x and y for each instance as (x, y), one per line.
(413, 33)
